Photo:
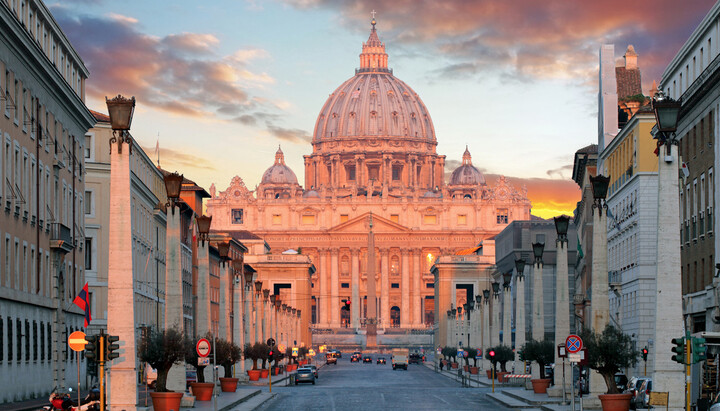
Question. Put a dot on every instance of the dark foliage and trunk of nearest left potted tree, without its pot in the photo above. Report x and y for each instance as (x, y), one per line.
(162, 349)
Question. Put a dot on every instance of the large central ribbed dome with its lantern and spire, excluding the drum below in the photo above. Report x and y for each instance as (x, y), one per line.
(374, 103)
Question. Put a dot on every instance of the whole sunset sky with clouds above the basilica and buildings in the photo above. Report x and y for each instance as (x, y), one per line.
(220, 84)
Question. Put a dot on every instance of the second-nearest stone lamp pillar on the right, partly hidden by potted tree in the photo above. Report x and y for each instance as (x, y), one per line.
(600, 303)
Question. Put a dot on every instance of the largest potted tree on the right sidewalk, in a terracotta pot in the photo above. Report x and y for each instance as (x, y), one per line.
(608, 352)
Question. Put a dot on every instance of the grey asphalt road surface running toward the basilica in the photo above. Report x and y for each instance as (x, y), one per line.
(359, 386)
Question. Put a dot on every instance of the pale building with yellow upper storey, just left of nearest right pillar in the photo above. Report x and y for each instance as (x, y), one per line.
(632, 230)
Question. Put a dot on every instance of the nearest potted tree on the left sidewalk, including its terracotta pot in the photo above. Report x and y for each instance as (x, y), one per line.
(162, 349)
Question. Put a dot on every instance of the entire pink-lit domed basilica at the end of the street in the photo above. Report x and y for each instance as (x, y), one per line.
(373, 154)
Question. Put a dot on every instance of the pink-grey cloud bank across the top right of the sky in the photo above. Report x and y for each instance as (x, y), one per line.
(527, 38)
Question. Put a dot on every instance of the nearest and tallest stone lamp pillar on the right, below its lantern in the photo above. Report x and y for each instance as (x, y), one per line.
(668, 375)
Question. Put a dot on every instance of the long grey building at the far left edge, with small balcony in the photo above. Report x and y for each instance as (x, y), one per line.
(43, 119)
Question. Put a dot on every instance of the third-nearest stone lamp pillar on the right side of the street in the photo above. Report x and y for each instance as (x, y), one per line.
(562, 320)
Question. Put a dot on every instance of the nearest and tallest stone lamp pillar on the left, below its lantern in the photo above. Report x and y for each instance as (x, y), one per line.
(121, 295)
